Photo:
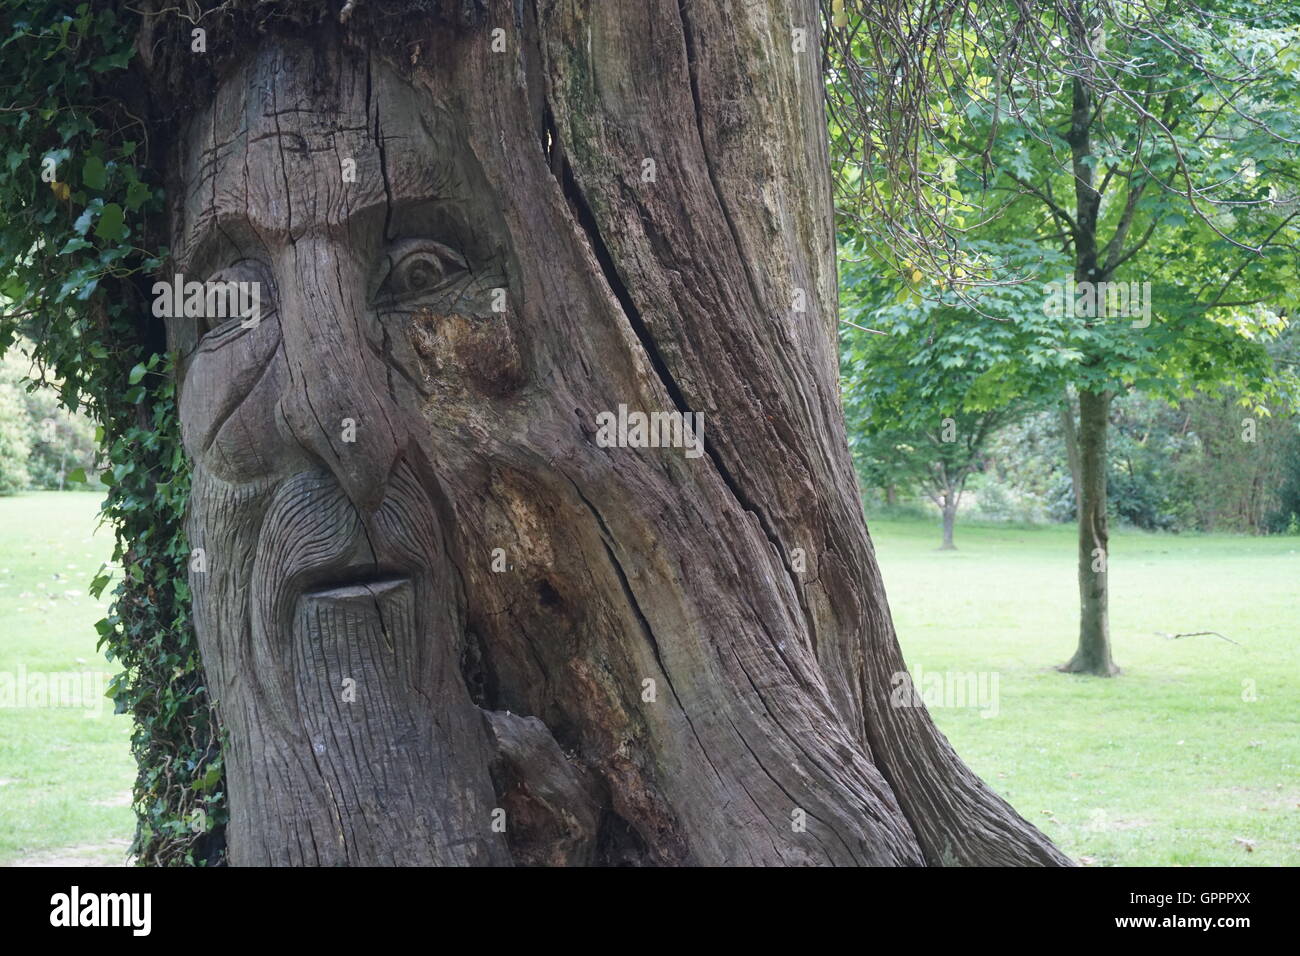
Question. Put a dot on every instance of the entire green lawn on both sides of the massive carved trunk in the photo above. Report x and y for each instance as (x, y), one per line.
(1191, 756)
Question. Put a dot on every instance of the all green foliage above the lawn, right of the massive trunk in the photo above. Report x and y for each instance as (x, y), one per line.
(1181, 172)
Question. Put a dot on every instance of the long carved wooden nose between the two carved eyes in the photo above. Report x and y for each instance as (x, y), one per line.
(336, 404)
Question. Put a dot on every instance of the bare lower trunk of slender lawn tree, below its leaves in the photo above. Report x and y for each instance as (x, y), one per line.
(1094, 652)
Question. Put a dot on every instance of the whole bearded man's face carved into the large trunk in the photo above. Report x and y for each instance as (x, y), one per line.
(327, 600)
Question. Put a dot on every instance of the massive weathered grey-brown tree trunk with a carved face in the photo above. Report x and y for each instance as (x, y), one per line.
(487, 625)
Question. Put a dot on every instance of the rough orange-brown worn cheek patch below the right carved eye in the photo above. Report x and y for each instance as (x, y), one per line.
(458, 353)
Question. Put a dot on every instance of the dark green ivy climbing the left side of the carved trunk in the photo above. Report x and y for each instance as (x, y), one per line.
(77, 205)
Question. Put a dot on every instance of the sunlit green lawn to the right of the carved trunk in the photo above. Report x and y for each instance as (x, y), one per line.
(1190, 758)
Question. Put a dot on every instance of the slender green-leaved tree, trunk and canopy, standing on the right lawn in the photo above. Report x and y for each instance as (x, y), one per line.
(1146, 142)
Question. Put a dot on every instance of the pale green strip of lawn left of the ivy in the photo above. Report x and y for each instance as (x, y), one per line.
(66, 776)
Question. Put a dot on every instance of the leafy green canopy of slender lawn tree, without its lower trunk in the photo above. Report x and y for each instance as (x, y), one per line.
(1163, 122)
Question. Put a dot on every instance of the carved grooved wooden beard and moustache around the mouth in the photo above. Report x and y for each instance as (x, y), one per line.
(350, 629)
